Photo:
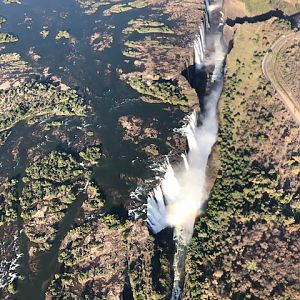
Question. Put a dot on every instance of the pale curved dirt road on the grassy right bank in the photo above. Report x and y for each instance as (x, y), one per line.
(272, 73)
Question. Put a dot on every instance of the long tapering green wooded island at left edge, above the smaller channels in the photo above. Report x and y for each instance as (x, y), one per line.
(34, 99)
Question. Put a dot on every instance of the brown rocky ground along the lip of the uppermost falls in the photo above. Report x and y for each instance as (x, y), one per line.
(167, 55)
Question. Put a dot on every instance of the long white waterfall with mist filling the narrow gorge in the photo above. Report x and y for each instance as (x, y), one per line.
(179, 198)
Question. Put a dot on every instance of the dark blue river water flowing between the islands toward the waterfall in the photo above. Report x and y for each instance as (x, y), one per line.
(109, 97)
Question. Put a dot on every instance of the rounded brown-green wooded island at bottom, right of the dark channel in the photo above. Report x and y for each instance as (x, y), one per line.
(83, 247)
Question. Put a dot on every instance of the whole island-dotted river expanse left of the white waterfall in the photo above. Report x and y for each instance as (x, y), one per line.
(92, 95)
